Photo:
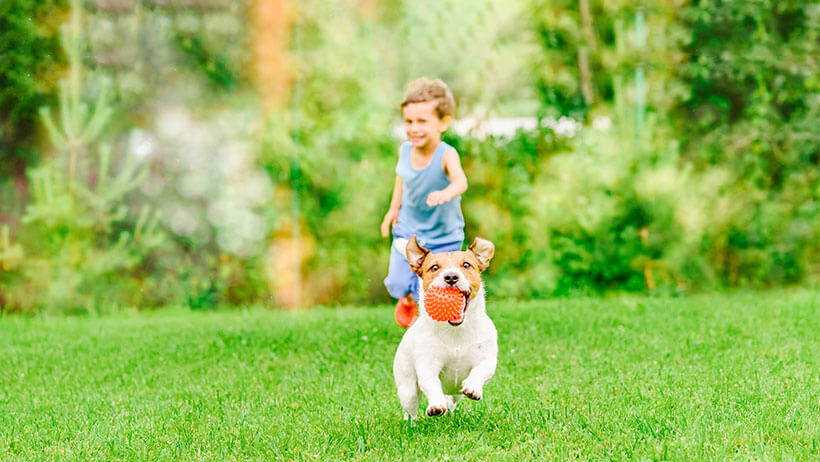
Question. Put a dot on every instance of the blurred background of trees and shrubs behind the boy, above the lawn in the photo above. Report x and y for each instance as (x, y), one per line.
(207, 153)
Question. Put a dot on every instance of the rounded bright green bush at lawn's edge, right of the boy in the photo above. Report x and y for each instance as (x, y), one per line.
(607, 211)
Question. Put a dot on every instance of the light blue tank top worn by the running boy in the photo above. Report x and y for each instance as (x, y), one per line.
(442, 224)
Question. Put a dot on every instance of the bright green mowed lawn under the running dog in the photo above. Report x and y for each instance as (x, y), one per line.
(703, 377)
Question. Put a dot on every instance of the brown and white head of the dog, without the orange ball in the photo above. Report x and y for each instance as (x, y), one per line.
(461, 270)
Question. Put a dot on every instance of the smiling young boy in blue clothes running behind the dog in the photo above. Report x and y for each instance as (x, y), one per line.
(427, 195)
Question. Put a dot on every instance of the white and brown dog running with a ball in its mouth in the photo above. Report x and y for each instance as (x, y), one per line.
(447, 360)
